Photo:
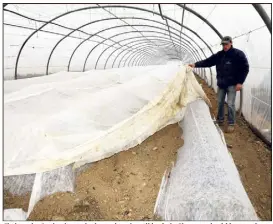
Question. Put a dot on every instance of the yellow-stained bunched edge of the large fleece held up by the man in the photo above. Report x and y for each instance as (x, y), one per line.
(167, 108)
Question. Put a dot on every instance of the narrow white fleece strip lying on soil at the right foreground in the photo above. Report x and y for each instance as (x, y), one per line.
(204, 183)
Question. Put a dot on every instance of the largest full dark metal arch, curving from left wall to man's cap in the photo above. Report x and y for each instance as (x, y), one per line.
(95, 7)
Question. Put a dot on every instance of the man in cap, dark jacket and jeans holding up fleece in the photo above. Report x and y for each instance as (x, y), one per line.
(232, 68)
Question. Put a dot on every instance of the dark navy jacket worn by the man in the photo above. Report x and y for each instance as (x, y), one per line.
(232, 67)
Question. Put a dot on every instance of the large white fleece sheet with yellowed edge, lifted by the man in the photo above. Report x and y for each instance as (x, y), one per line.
(60, 119)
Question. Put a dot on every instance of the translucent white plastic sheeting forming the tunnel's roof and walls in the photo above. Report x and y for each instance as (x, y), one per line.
(99, 36)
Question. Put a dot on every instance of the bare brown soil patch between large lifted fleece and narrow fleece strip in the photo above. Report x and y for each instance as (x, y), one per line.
(122, 187)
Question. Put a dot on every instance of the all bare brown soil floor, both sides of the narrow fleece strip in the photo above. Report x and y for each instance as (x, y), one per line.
(125, 186)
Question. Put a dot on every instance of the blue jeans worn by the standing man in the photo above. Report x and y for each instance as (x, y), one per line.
(231, 96)
